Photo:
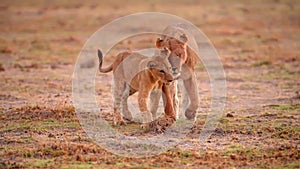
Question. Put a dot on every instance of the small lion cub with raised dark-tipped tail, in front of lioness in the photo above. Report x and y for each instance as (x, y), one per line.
(134, 72)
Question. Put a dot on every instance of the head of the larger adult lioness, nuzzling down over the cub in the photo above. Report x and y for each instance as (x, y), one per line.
(178, 48)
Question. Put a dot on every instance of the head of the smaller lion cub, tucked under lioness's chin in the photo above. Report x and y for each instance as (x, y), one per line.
(160, 66)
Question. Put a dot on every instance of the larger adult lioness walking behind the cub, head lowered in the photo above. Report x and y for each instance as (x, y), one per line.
(183, 59)
